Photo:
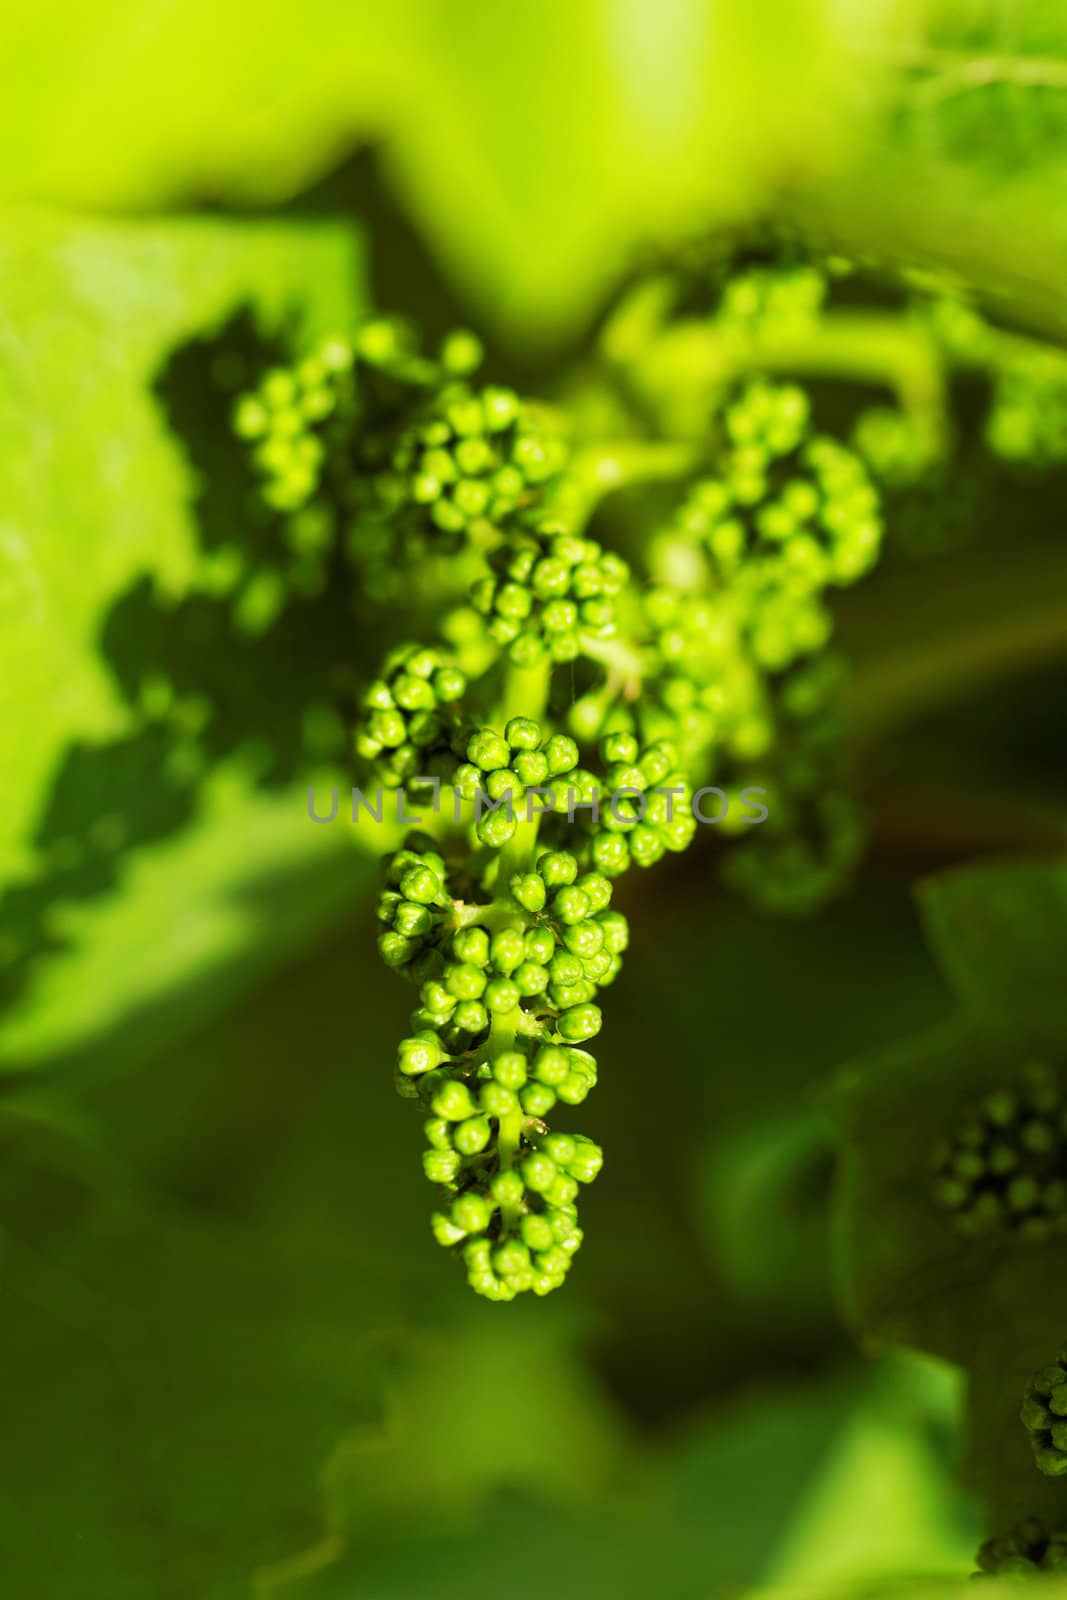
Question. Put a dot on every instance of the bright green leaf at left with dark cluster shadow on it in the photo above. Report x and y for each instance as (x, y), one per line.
(124, 871)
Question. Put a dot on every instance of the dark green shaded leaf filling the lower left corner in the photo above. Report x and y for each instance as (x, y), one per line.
(196, 1270)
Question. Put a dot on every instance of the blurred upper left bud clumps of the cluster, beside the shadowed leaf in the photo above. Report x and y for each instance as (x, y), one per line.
(398, 452)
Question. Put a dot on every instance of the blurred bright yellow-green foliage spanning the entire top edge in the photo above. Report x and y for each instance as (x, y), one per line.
(541, 148)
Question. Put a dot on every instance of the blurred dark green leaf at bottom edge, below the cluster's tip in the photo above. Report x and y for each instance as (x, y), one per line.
(548, 1468)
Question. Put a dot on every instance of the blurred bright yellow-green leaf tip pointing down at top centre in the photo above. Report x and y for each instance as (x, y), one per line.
(554, 143)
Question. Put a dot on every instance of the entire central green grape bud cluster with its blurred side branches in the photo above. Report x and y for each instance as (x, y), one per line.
(572, 726)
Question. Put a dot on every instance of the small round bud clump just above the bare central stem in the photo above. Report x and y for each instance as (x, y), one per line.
(545, 590)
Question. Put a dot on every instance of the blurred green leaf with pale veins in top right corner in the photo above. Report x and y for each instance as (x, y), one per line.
(972, 148)
